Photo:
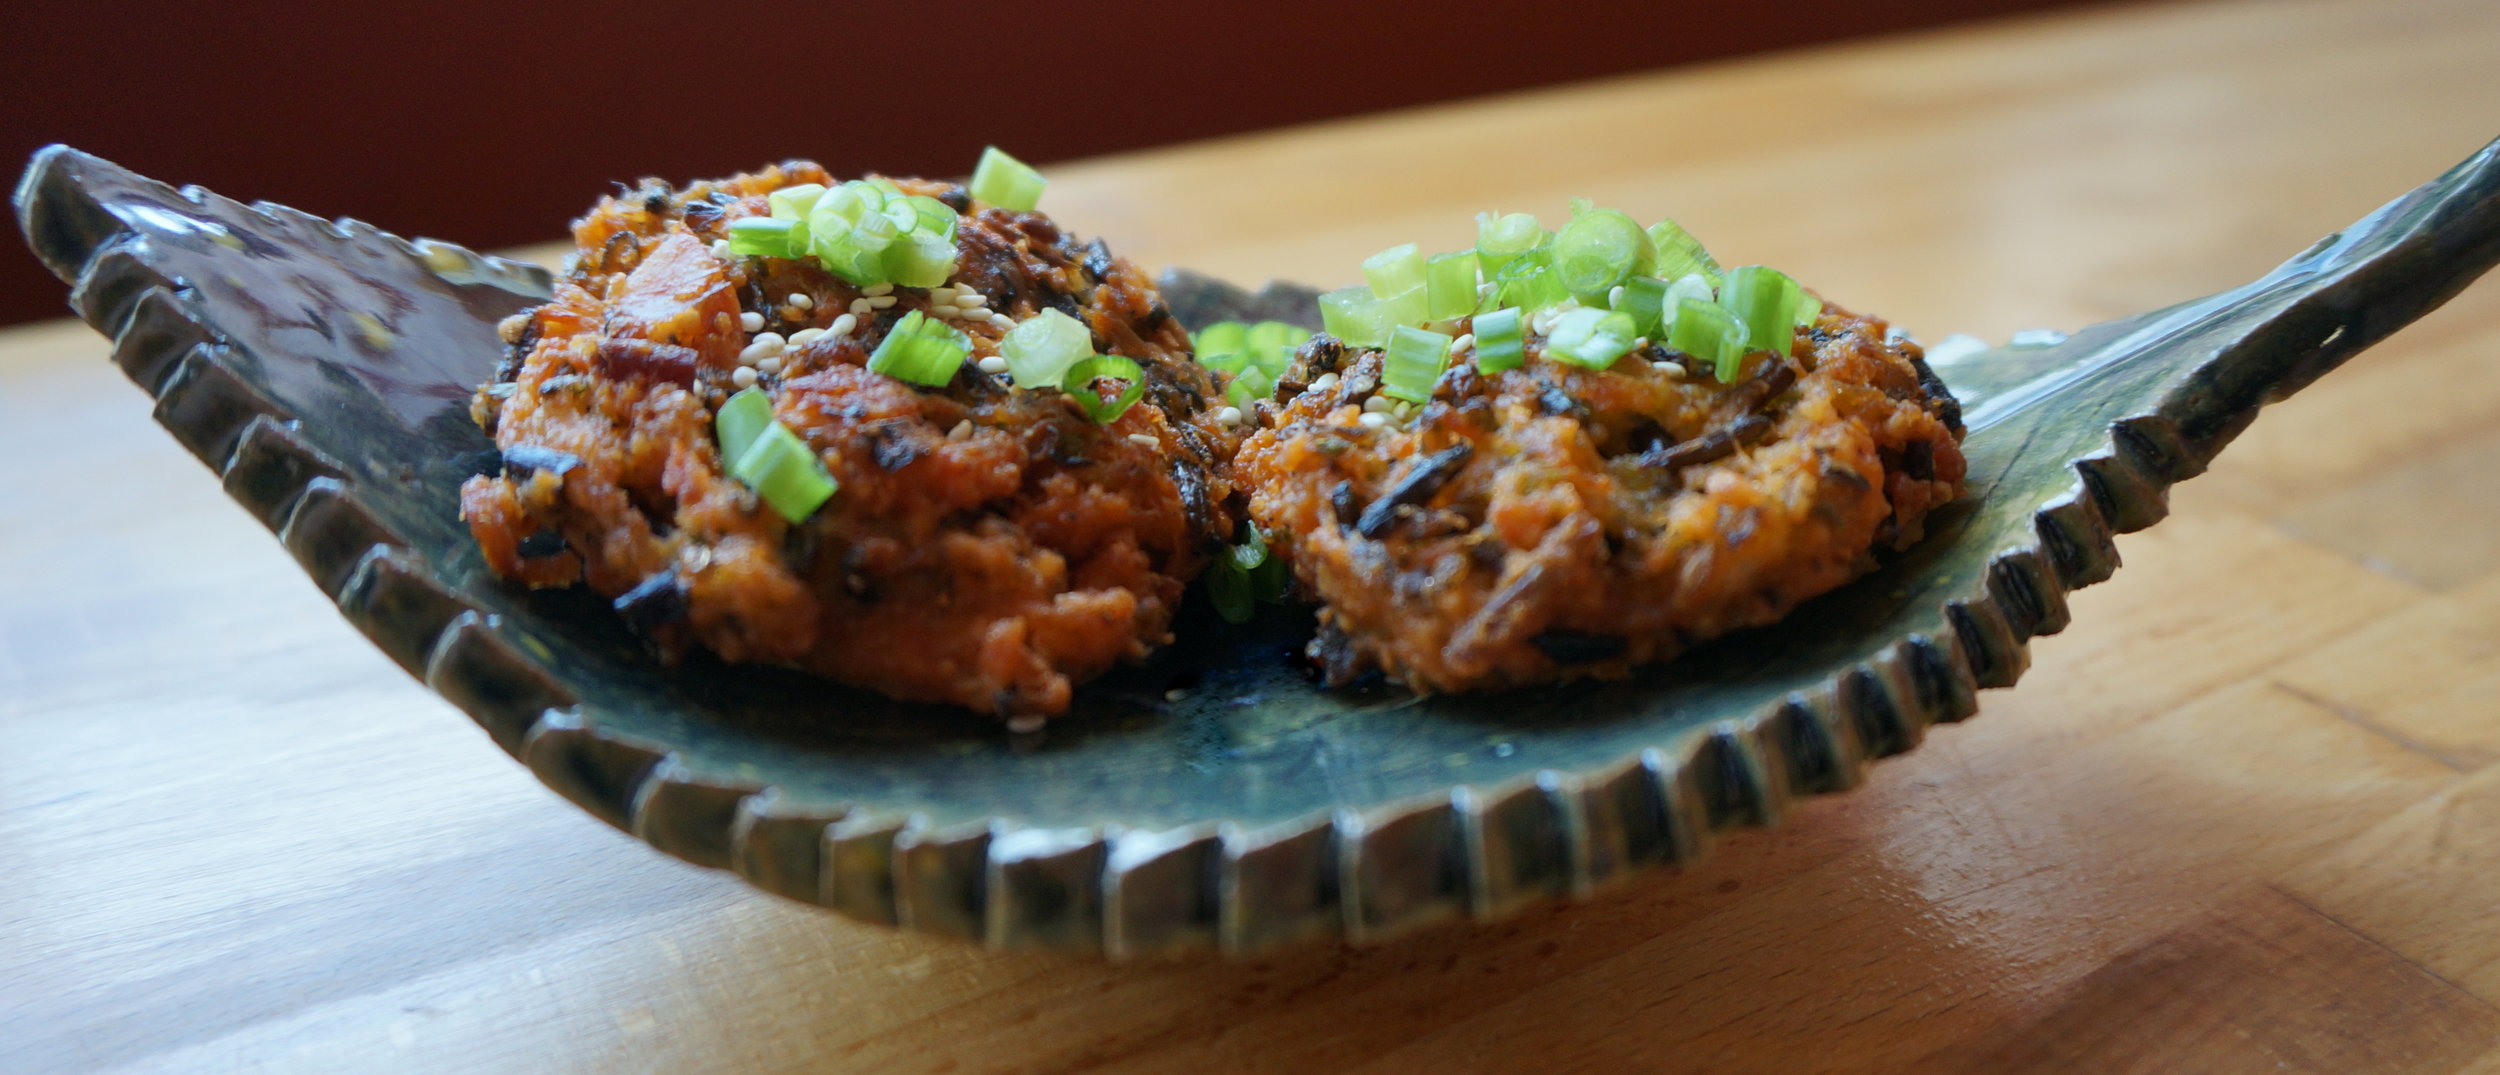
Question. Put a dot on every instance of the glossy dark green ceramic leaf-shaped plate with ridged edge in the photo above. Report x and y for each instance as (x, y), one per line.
(324, 371)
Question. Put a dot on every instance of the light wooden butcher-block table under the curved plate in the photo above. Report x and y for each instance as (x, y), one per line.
(2244, 816)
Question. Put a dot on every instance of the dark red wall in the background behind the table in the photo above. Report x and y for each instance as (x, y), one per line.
(494, 124)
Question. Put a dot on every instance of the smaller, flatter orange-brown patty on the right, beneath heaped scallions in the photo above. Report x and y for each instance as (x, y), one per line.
(1551, 521)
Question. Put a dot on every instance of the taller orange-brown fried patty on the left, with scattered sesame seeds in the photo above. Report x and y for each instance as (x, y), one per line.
(989, 546)
